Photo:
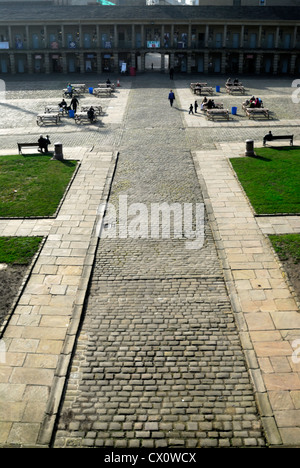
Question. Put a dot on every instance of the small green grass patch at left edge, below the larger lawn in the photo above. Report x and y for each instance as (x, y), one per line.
(18, 250)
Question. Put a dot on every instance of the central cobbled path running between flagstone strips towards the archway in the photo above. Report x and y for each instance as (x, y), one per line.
(158, 361)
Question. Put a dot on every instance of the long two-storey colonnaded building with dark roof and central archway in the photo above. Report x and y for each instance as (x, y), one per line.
(43, 37)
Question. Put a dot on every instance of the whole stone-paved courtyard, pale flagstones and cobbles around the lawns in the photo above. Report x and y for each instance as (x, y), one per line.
(142, 342)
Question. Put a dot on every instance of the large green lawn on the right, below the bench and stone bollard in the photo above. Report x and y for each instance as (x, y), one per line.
(271, 180)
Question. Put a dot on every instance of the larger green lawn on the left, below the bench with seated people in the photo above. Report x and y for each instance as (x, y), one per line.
(32, 185)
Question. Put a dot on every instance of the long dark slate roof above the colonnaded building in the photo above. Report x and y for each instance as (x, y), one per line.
(45, 13)
